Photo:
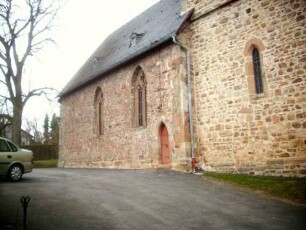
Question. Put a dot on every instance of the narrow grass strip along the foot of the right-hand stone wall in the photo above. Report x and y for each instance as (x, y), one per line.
(293, 189)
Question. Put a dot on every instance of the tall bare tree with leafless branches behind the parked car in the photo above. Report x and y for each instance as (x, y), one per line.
(24, 30)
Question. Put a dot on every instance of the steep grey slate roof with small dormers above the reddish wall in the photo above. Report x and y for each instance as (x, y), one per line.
(148, 30)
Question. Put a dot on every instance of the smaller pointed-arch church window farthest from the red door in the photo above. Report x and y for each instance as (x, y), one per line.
(98, 112)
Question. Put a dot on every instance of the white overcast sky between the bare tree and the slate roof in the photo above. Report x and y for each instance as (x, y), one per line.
(82, 26)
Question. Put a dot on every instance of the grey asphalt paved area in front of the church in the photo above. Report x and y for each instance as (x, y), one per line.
(139, 199)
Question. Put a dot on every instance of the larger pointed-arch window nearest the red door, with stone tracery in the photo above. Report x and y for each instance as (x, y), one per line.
(139, 95)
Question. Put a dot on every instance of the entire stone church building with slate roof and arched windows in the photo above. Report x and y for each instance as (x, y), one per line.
(194, 84)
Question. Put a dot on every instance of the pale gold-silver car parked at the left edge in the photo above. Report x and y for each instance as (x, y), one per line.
(14, 161)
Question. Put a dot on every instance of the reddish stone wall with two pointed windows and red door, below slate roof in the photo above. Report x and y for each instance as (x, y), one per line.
(122, 145)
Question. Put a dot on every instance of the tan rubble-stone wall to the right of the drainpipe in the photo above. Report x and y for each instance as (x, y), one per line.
(237, 130)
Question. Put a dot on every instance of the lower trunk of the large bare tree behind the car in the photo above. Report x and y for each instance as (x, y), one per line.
(17, 122)
